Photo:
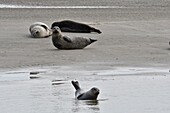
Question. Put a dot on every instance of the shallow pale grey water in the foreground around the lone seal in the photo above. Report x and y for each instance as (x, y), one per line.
(122, 89)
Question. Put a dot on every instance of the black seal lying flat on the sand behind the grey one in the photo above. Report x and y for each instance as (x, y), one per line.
(71, 26)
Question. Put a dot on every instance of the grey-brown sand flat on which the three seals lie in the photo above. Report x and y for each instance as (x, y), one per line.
(130, 36)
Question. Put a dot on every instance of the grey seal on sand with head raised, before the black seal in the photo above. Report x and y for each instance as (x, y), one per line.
(65, 42)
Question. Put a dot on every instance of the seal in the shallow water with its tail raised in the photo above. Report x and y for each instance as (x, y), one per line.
(92, 94)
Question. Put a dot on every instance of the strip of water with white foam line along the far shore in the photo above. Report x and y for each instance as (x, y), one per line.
(82, 3)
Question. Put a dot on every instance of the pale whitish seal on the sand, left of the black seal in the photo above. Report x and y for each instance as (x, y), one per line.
(40, 30)
